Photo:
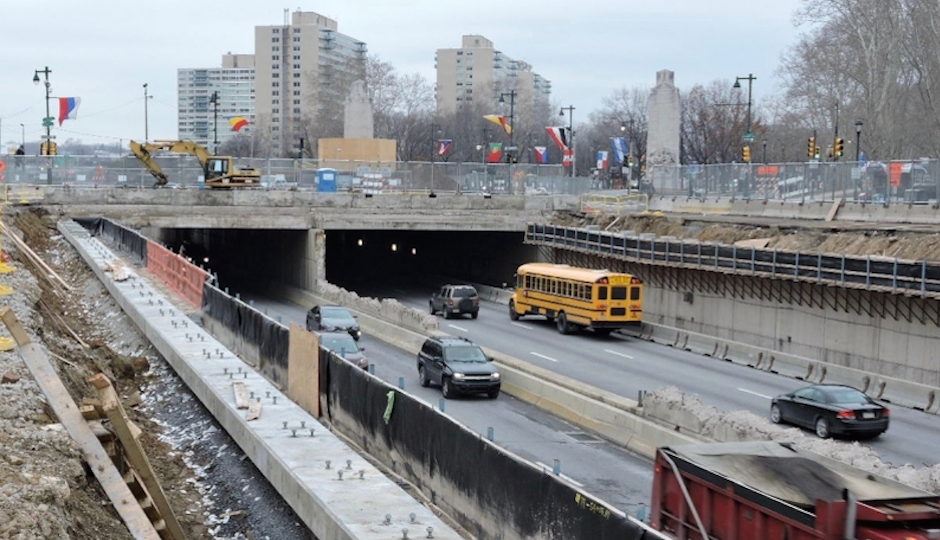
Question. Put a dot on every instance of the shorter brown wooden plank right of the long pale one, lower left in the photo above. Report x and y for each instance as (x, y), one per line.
(128, 433)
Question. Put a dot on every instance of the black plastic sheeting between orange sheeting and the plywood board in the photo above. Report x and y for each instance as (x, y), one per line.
(250, 325)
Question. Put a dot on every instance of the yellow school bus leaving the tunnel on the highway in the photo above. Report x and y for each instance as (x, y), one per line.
(577, 297)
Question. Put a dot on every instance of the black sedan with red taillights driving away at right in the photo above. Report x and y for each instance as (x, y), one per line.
(831, 409)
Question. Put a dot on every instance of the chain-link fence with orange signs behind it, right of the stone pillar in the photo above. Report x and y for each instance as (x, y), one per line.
(912, 181)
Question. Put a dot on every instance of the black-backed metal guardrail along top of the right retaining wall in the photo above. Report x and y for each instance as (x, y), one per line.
(916, 278)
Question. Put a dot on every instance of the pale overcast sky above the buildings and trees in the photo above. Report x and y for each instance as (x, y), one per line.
(105, 50)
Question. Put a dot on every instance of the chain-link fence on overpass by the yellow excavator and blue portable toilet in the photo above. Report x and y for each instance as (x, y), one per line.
(364, 176)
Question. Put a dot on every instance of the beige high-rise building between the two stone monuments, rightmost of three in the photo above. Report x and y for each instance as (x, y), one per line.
(477, 73)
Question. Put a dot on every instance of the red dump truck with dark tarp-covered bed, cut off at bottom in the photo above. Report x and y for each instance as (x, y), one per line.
(774, 491)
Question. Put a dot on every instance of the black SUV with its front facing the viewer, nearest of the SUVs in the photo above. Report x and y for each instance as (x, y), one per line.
(459, 366)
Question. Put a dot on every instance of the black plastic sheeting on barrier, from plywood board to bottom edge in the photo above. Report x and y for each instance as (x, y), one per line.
(526, 501)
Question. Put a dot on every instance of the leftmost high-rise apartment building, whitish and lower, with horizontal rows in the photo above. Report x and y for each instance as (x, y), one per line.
(208, 97)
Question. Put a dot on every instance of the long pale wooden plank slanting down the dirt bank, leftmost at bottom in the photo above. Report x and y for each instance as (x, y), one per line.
(67, 412)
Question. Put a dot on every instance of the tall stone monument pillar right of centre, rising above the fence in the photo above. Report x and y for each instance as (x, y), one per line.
(662, 145)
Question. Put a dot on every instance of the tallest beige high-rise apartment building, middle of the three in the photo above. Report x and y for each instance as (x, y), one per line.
(302, 67)
